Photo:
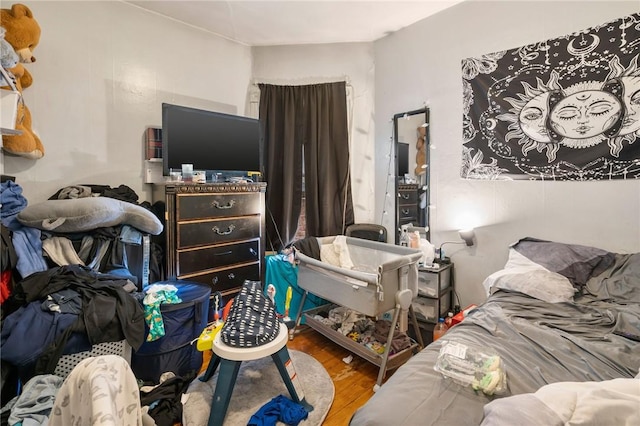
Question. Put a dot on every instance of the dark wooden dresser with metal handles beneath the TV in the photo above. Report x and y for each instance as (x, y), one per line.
(214, 232)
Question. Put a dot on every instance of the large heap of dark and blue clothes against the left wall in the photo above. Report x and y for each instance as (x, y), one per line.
(62, 293)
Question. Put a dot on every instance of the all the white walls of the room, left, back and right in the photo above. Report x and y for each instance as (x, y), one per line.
(104, 68)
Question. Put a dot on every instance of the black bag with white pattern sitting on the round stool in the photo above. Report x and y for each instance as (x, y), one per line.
(252, 319)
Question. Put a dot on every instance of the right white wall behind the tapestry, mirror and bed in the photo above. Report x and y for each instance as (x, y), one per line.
(421, 64)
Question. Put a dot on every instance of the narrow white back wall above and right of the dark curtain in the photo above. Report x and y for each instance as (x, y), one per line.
(311, 64)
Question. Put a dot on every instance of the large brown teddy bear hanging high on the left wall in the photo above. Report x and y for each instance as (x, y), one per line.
(23, 34)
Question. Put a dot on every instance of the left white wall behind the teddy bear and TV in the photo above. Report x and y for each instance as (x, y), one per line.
(102, 71)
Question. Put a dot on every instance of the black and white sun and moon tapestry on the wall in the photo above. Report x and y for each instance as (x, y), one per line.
(561, 109)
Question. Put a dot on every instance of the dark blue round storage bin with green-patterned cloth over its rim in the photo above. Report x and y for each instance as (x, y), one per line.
(183, 322)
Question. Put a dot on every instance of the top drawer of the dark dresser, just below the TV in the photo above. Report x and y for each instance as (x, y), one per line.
(203, 206)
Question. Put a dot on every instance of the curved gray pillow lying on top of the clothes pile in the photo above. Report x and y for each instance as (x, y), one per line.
(86, 214)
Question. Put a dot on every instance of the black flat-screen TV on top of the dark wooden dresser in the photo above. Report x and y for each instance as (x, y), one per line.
(211, 141)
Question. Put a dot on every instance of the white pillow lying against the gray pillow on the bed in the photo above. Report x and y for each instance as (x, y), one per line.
(536, 282)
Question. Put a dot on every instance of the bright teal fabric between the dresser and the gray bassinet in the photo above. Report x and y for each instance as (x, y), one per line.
(282, 274)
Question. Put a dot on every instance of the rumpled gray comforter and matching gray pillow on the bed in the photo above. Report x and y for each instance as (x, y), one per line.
(594, 336)
